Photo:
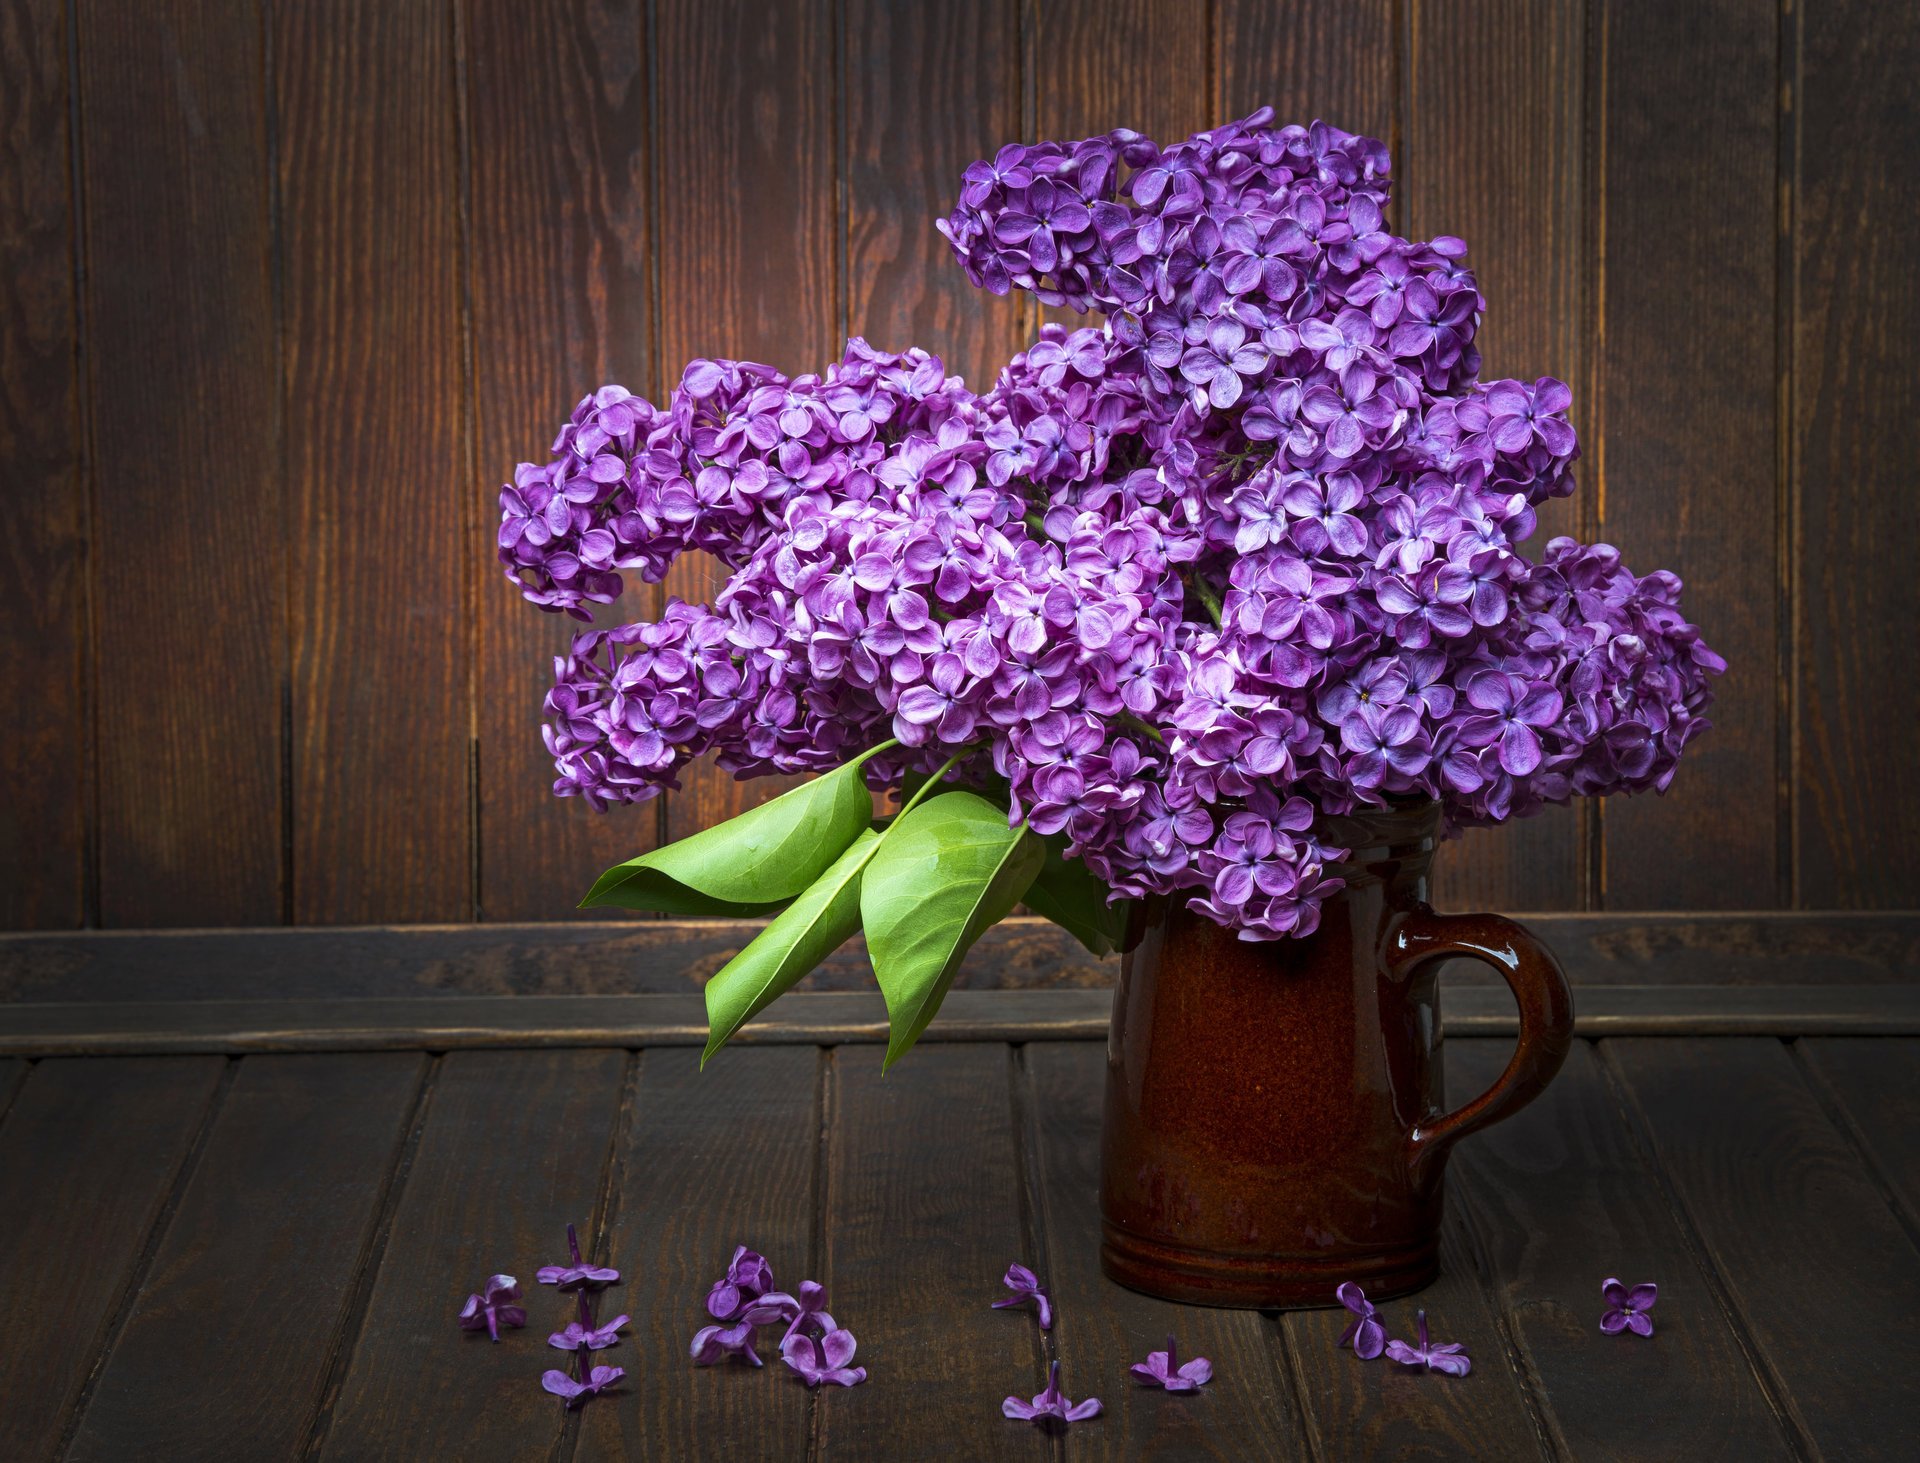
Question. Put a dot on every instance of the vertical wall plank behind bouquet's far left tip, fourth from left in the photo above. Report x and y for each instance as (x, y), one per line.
(564, 302)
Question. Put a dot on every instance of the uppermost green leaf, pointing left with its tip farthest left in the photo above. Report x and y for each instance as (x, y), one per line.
(754, 863)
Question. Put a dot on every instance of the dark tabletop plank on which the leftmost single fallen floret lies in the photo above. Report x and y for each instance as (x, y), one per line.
(512, 1153)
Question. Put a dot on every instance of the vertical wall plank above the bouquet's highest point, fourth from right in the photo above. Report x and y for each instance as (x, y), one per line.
(1333, 60)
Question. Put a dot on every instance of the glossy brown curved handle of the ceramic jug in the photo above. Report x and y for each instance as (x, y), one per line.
(1547, 1015)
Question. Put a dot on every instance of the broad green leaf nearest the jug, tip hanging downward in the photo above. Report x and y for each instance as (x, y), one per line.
(946, 873)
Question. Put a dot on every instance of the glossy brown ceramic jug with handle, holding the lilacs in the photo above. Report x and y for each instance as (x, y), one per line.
(1274, 1120)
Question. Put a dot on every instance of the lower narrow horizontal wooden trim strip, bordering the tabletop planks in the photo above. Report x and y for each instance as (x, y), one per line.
(846, 1017)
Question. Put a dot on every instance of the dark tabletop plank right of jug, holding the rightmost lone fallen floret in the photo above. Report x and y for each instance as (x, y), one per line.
(1562, 1197)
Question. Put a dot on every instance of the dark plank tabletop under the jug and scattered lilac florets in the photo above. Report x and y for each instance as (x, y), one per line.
(256, 1257)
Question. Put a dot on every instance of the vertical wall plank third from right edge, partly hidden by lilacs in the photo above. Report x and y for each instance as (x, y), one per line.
(1495, 153)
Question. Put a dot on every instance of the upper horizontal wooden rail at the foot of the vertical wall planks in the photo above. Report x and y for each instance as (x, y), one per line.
(654, 957)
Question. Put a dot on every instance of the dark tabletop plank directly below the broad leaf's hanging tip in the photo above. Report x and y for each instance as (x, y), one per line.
(924, 1201)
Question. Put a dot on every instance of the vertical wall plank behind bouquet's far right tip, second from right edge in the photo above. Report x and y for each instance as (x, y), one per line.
(1685, 444)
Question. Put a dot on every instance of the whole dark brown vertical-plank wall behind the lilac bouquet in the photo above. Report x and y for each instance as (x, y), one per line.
(287, 291)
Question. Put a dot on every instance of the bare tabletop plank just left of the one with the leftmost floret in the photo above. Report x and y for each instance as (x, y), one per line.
(258, 1266)
